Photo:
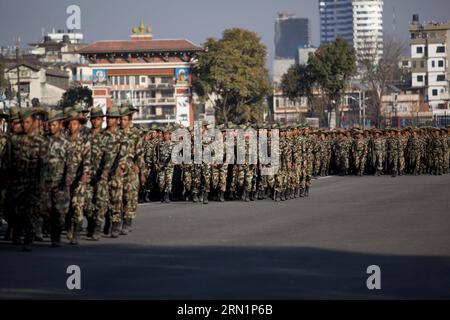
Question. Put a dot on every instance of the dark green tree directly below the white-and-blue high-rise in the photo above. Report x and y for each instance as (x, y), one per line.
(333, 65)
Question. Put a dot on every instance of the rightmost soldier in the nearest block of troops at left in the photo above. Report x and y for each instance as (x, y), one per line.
(133, 167)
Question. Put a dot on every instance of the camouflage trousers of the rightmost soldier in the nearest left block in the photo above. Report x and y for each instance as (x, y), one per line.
(130, 192)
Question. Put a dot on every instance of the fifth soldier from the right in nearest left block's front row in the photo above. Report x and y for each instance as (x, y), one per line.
(58, 174)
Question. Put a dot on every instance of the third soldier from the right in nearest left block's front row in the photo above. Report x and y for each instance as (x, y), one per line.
(97, 204)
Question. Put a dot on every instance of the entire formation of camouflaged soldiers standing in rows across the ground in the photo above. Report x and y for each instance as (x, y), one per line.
(57, 172)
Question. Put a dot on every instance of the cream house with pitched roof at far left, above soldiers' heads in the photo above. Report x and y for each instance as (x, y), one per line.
(45, 84)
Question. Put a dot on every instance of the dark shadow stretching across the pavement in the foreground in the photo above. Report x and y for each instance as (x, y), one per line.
(128, 271)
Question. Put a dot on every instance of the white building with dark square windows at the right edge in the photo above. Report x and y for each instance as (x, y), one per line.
(430, 63)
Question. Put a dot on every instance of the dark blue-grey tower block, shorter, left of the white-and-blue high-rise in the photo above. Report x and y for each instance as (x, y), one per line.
(291, 33)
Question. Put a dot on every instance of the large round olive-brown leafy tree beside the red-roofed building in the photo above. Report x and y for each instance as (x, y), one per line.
(231, 72)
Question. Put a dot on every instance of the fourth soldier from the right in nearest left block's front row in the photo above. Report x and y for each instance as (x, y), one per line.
(80, 152)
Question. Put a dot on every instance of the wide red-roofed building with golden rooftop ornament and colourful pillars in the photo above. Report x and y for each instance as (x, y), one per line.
(151, 74)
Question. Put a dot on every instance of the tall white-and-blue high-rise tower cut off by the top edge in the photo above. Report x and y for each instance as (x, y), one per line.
(359, 22)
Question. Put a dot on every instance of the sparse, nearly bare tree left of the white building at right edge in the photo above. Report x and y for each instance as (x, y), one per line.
(378, 74)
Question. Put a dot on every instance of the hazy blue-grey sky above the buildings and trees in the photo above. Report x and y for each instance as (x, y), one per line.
(195, 20)
